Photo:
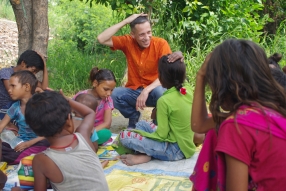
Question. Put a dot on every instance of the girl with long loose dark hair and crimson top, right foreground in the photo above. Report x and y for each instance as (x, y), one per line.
(251, 129)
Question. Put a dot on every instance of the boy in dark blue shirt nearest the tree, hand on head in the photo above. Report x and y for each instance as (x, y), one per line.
(28, 60)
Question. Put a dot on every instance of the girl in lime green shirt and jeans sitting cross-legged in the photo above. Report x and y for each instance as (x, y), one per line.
(172, 139)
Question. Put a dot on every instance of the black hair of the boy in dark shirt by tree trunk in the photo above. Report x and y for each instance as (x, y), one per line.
(31, 58)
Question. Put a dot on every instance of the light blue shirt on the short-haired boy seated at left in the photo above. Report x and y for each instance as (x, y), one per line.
(25, 132)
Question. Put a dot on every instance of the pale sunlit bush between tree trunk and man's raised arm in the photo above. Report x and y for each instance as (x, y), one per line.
(79, 23)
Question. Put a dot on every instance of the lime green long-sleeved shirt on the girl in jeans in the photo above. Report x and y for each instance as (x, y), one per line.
(174, 120)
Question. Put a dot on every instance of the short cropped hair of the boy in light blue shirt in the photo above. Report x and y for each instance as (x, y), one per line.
(26, 77)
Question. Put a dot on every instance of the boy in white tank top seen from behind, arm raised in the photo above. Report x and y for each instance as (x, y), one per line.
(71, 162)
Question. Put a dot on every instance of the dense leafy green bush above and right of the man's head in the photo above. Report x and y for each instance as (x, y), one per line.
(183, 22)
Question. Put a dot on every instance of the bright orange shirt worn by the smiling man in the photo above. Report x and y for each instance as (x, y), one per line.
(142, 64)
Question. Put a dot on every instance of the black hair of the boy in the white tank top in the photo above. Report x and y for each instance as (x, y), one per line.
(46, 113)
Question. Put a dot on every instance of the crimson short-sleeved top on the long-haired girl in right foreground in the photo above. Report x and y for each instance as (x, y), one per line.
(264, 153)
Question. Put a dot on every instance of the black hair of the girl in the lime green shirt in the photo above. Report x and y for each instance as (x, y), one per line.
(171, 73)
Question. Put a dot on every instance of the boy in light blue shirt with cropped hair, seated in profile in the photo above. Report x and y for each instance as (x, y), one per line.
(22, 86)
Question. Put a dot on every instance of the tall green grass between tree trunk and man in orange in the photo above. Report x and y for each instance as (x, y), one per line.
(69, 69)
